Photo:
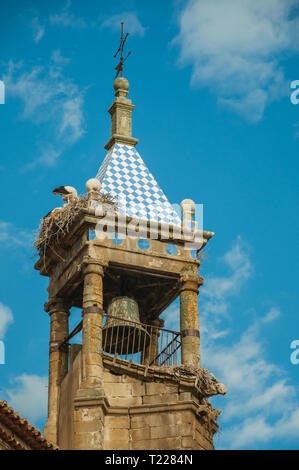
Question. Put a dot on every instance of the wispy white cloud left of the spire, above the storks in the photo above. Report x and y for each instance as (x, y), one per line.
(48, 96)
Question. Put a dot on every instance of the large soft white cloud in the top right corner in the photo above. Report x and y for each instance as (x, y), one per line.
(234, 47)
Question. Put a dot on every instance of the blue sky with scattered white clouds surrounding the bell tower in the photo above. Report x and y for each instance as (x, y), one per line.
(211, 85)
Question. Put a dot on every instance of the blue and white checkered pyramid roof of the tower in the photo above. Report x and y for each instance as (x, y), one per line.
(124, 175)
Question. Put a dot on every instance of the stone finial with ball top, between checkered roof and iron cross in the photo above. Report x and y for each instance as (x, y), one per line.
(121, 115)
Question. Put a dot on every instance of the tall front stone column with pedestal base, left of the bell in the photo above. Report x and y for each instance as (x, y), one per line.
(90, 401)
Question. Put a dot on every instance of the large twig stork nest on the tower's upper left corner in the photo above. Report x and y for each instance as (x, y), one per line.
(58, 222)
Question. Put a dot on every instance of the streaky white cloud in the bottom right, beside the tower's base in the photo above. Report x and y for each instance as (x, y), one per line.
(260, 405)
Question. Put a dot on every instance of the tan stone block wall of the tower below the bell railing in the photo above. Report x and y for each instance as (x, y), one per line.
(141, 414)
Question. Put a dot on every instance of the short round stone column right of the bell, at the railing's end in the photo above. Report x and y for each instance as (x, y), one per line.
(189, 322)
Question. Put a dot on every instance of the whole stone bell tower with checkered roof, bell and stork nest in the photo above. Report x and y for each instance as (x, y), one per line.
(120, 253)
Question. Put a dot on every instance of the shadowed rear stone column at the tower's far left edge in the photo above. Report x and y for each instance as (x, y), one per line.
(58, 363)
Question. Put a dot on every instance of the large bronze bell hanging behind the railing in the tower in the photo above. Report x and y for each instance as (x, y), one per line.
(123, 332)
